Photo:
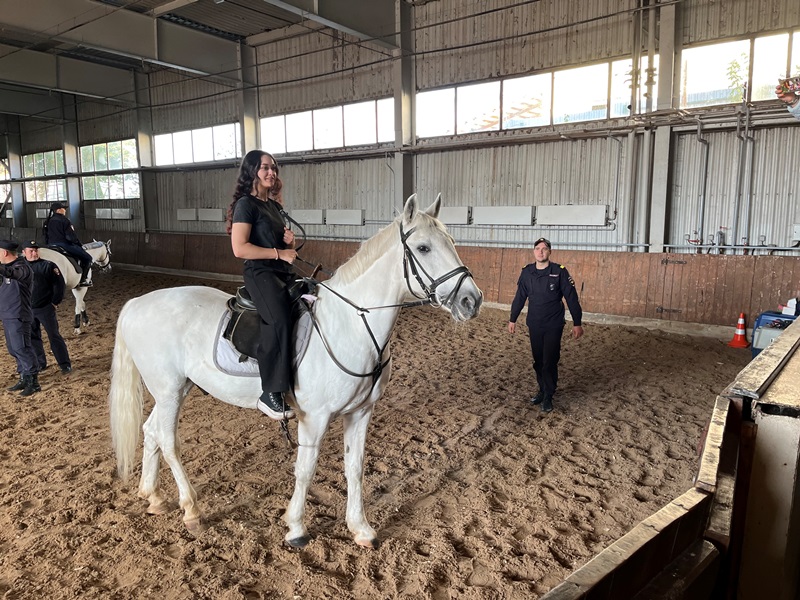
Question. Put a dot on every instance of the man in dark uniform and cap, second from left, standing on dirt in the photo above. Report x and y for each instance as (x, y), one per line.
(46, 294)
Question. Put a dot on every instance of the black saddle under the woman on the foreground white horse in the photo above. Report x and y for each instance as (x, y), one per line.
(243, 330)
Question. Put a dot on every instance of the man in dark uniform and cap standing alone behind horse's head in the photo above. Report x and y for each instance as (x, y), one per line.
(544, 285)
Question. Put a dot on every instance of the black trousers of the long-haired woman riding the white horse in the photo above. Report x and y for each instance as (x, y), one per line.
(268, 291)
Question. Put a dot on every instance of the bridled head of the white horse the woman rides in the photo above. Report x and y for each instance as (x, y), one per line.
(431, 265)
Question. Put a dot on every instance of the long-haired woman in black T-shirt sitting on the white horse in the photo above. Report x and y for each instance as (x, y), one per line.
(260, 236)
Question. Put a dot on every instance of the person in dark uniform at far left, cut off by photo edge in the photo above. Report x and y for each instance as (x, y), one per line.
(16, 315)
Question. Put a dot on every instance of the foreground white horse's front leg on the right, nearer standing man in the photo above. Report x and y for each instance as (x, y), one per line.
(355, 437)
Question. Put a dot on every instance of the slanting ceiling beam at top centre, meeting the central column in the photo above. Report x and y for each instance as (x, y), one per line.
(373, 20)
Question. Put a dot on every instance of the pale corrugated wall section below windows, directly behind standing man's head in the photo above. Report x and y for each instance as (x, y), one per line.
(578, 172)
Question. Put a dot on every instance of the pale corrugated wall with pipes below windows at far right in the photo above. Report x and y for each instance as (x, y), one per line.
(774, 205)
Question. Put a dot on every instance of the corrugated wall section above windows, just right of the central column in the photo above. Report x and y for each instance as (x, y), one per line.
(524, 39)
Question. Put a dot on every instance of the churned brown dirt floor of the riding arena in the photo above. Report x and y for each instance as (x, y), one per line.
(473, 491)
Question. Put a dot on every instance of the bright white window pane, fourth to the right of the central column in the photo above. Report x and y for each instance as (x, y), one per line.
(580, 94)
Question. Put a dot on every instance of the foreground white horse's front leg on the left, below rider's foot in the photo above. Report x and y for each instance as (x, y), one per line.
(309, 436)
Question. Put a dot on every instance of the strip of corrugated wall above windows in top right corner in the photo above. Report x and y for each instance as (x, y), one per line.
(705, 21)
